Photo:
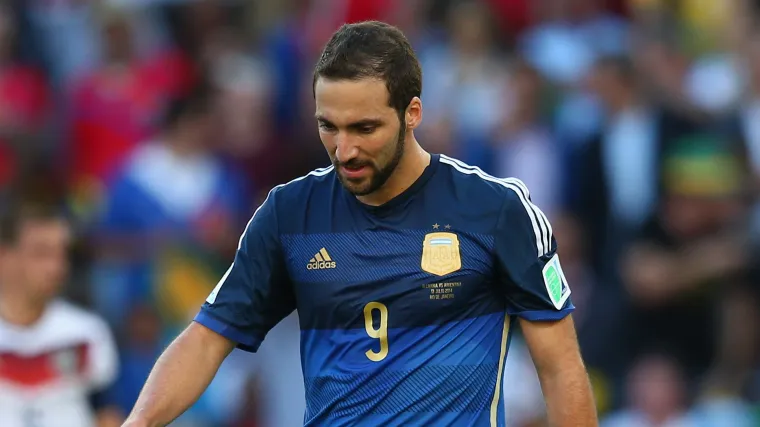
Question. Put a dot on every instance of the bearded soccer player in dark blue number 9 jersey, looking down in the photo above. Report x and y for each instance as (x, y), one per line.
(409, 271)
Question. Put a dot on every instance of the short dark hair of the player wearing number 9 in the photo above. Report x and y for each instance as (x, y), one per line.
(373, 49)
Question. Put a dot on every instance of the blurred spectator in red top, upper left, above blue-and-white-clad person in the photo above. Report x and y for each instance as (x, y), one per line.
(116, 106)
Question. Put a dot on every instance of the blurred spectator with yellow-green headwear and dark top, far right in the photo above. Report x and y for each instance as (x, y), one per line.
(689, 256)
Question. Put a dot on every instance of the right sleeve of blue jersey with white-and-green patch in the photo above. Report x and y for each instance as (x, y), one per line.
(529, 271)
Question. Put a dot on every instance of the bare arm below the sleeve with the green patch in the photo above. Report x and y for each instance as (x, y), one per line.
(564, 380)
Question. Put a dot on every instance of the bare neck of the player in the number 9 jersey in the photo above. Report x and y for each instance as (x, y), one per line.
(409, 170)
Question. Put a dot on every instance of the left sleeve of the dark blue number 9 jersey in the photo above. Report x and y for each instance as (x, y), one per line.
(255, 292)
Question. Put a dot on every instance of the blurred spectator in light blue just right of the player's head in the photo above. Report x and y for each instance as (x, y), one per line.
(464, 96)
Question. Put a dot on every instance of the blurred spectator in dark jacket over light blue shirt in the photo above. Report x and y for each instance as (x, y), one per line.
(618, 171)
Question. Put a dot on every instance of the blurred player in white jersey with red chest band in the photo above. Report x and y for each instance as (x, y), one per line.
(56, 360)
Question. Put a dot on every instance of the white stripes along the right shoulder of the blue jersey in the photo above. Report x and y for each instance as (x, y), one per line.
(541, 227)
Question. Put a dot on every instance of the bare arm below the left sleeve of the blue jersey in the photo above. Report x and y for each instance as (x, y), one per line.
(180, 376)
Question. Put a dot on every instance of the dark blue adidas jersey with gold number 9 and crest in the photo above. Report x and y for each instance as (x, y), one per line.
(405, 309)
